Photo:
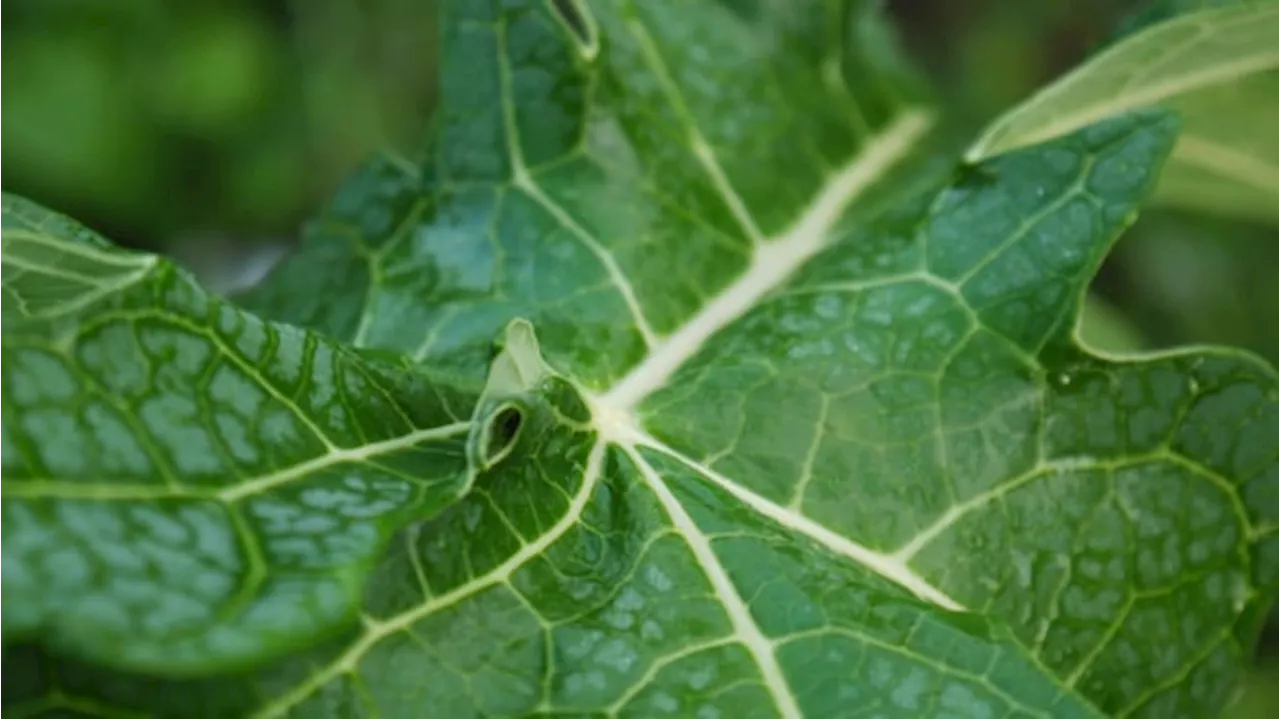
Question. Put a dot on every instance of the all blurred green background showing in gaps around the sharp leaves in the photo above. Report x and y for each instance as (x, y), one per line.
(211, 130)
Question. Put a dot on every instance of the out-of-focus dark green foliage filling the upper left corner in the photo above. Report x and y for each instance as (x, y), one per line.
(154, 120)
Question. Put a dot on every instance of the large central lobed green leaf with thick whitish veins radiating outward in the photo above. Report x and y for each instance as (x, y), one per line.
(788, 418)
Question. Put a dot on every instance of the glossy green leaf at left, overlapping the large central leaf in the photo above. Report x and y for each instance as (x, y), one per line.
(186, 488)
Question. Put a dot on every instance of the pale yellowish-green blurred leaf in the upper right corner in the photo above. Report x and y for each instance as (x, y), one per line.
(1219, 67)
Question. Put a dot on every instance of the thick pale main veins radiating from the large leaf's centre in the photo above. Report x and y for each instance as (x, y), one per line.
(616, 420)
